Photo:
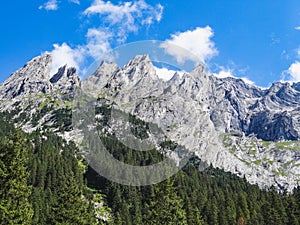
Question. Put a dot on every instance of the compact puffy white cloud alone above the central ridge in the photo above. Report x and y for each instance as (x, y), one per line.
(197, 42)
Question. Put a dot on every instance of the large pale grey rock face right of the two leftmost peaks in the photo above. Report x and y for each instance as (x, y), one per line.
(226, 122)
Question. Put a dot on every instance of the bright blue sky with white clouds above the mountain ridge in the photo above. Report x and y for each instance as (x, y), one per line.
(257, 40)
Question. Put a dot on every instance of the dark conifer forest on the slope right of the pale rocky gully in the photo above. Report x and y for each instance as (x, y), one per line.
(207, 198)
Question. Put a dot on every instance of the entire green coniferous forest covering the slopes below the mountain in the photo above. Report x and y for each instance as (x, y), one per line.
(44, 180)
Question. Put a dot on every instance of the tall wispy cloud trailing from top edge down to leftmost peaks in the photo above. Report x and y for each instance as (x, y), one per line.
(117, 22)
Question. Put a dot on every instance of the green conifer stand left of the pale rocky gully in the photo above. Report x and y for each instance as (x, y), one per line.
(41, 180)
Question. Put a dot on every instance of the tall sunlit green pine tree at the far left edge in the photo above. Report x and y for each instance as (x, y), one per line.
(14, 193)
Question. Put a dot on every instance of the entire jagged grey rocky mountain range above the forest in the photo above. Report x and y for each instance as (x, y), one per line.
(241, 128)
